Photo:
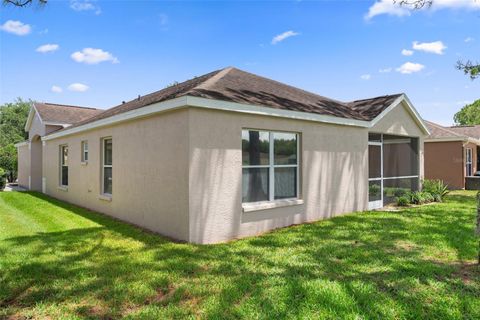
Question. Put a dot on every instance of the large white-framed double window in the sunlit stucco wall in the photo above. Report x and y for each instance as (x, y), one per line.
(269, 165)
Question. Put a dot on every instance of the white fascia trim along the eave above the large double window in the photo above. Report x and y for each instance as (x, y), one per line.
(268, 111)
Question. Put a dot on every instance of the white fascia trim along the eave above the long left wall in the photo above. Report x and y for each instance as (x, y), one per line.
(129, 115)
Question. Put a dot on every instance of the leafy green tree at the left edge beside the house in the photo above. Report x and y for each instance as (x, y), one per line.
(13, 117)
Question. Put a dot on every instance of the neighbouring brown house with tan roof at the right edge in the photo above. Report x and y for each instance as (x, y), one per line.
(452, 153)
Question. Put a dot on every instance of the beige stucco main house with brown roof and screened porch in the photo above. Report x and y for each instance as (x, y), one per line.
(230, 154)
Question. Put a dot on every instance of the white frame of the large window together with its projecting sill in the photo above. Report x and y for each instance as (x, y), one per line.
(270, 203)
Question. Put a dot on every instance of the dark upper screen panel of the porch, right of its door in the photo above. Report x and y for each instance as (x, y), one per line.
(400, 156)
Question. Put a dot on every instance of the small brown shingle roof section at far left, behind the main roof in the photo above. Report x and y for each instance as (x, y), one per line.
(64, 114)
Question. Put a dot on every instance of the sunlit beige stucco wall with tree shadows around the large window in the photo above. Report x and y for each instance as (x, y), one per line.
(333, 180)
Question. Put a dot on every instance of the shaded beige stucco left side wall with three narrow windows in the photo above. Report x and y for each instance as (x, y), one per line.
(150, 168)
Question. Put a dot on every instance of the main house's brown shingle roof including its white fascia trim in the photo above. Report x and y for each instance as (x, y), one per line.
(237, 90)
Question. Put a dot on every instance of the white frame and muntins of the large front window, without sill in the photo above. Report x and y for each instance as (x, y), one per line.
(271, 166)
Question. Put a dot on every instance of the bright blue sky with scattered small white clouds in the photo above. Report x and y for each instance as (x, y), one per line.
(98, 53)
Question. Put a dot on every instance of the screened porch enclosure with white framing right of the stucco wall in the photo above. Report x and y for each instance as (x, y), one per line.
(393, 168)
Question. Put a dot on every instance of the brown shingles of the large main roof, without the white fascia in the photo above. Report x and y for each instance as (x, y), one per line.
(234, 85)
